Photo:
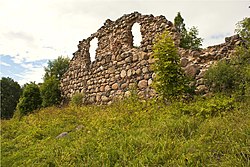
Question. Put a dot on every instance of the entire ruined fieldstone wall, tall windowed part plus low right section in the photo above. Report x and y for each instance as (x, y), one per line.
(119, 66)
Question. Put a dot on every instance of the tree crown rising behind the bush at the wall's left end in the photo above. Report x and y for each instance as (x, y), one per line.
(56, 68)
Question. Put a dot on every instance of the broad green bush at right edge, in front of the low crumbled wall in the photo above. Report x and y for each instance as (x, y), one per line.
(231, 76)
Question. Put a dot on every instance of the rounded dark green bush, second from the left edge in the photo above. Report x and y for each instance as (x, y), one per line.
(30, 99)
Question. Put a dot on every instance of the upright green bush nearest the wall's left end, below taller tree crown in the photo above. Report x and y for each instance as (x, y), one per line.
(50, 92)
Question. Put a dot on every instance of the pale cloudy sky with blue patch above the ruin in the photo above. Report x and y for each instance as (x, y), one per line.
(32, 32)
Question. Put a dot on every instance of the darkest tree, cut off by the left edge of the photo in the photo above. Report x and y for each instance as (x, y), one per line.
(10, 93)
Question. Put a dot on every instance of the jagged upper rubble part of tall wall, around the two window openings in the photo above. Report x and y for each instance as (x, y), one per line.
(115, 37)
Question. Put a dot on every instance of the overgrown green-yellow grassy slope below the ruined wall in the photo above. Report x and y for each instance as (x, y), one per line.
(205, 132)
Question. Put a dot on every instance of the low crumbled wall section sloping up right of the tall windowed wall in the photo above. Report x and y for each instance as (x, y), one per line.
(196, 63)
